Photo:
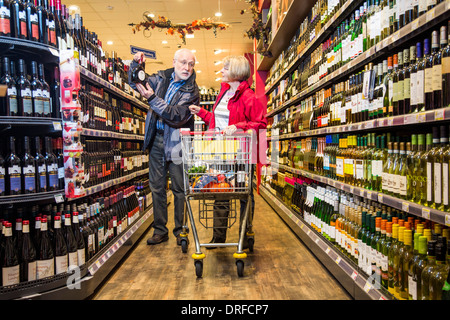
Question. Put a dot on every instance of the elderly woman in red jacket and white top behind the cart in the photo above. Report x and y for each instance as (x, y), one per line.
(236, 108)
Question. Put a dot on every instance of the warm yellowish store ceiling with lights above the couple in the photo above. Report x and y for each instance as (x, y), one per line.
(110, 19)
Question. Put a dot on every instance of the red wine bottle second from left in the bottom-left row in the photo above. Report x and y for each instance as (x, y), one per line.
(27, 255)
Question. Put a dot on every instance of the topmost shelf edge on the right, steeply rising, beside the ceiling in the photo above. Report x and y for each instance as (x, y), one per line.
(329, 27)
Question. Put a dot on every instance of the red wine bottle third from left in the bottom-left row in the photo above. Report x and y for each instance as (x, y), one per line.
(45, 264)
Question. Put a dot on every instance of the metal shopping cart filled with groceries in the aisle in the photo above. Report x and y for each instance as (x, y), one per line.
(217, 173)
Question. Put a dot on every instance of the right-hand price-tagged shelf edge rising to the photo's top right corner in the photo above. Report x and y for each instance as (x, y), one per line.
(432, 18)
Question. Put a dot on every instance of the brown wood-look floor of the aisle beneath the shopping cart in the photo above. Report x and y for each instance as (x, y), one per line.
(280, 268)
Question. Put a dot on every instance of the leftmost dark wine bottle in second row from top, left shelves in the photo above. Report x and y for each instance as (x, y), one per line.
(8, 104)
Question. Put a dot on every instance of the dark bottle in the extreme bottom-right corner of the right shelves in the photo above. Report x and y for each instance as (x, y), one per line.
(440, 272)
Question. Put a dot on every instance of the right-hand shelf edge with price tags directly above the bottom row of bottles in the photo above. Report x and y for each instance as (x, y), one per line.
(428, 213)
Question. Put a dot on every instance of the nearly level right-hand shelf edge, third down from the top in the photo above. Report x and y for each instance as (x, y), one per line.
(425, 117)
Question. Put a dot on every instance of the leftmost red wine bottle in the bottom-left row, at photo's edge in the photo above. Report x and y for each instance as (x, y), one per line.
(9, 259)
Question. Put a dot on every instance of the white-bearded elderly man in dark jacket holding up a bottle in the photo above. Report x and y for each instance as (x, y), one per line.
(169, 94)
